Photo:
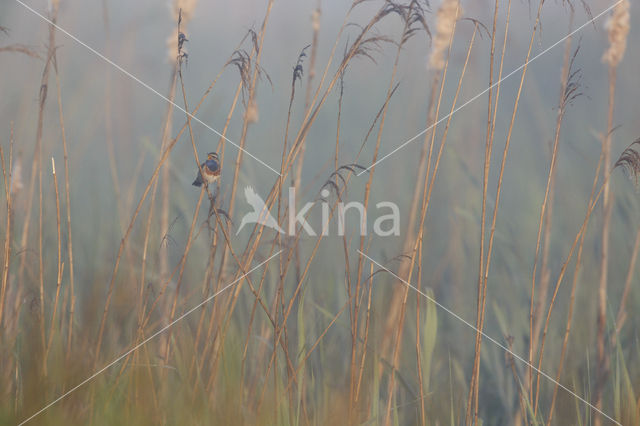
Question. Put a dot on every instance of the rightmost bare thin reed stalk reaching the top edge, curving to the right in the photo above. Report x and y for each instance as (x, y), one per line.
(484, 275)
